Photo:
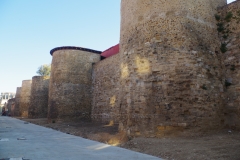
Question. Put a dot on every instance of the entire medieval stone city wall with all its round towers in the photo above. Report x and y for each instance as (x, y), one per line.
(176, 70)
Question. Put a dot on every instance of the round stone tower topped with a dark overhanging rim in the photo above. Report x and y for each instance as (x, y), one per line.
(71, 82)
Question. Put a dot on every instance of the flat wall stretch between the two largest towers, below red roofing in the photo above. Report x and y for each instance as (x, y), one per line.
(106, 85)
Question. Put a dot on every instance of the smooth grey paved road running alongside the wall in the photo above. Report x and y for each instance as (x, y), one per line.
(28, 141)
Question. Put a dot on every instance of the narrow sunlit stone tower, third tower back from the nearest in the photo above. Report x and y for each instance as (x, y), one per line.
(25, 97)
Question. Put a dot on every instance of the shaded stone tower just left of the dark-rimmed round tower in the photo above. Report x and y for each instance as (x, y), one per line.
(38, 107)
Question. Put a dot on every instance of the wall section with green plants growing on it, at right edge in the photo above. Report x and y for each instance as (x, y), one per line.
(231, 60)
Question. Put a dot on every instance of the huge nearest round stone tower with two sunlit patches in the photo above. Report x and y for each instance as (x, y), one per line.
(170, 66)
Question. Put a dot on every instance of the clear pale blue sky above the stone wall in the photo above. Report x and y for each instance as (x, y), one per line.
(29, 29)
